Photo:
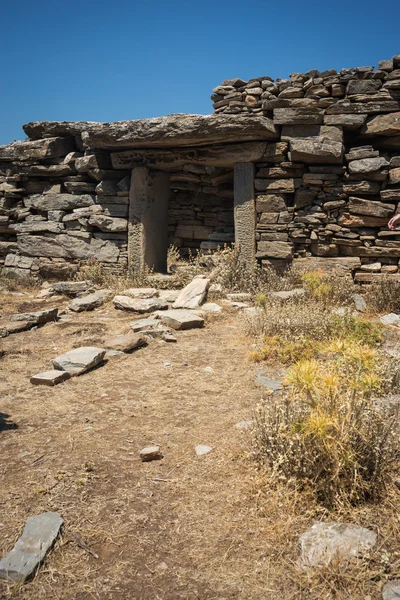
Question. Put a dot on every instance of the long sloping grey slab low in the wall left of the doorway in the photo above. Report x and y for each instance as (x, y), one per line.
(66, 246)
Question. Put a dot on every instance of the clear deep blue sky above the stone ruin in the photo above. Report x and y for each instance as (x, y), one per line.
(125, 59)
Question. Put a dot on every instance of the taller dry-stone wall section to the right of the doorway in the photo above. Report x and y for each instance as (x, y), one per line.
(332, 182)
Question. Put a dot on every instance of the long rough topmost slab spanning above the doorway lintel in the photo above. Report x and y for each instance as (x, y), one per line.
(172, 130)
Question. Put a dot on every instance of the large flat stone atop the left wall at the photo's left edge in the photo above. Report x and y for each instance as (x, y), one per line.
(36, 150)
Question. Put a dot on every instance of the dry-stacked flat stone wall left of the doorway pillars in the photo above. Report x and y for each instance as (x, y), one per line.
(59, 205)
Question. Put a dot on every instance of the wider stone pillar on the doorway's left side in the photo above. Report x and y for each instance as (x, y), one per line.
(148, 220)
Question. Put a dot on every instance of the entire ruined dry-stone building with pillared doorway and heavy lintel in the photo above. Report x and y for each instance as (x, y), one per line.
(305, 169)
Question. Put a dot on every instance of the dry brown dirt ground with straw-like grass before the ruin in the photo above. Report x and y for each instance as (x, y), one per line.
(183, 527)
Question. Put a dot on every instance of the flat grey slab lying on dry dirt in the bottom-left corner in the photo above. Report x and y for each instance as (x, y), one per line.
(40, 533)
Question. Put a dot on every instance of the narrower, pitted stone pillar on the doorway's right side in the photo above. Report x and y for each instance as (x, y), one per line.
(244, 211)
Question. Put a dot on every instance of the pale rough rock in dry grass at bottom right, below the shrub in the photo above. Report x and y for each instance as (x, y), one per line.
(324, 542)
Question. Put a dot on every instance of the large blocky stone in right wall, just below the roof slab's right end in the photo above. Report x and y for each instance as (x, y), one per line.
(316, 150)
